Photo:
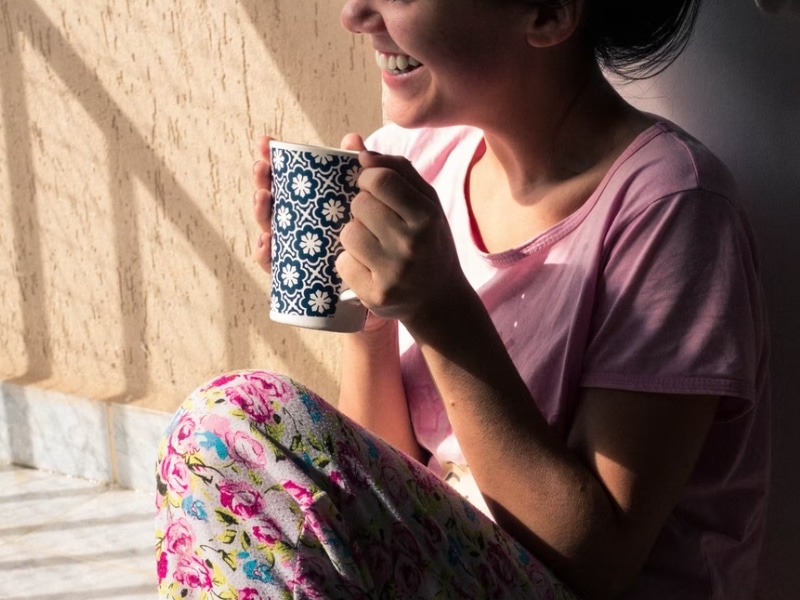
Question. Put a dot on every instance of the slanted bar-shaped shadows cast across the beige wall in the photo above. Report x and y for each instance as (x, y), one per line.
(132, 161)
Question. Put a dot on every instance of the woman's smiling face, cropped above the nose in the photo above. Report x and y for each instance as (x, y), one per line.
(444, 62)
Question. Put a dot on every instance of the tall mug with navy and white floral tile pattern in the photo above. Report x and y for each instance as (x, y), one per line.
(312, 188)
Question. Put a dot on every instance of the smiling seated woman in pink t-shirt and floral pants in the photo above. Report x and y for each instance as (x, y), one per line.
(574, 296)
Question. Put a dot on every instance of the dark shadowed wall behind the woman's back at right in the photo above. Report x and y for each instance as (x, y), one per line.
(737, 89)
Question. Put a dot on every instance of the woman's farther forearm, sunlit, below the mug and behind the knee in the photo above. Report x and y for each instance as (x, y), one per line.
(371, 391)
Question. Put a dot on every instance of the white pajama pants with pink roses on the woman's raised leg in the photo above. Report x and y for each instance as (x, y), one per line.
(267, 492)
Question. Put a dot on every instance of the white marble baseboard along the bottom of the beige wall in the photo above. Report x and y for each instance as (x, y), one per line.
(101, 441)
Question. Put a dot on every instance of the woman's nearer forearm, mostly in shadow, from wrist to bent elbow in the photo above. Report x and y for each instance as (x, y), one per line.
(537, 488)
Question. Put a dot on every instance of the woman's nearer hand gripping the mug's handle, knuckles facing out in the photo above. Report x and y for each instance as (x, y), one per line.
(399, 256)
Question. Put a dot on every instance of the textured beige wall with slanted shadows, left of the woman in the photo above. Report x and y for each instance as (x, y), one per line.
(126, 136)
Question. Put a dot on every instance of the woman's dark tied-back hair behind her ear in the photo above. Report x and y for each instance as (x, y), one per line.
(637, 39)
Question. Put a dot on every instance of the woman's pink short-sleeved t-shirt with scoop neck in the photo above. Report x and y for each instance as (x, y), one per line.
(650, 286)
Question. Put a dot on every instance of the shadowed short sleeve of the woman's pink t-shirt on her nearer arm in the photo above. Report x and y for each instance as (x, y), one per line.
(678, 305)
